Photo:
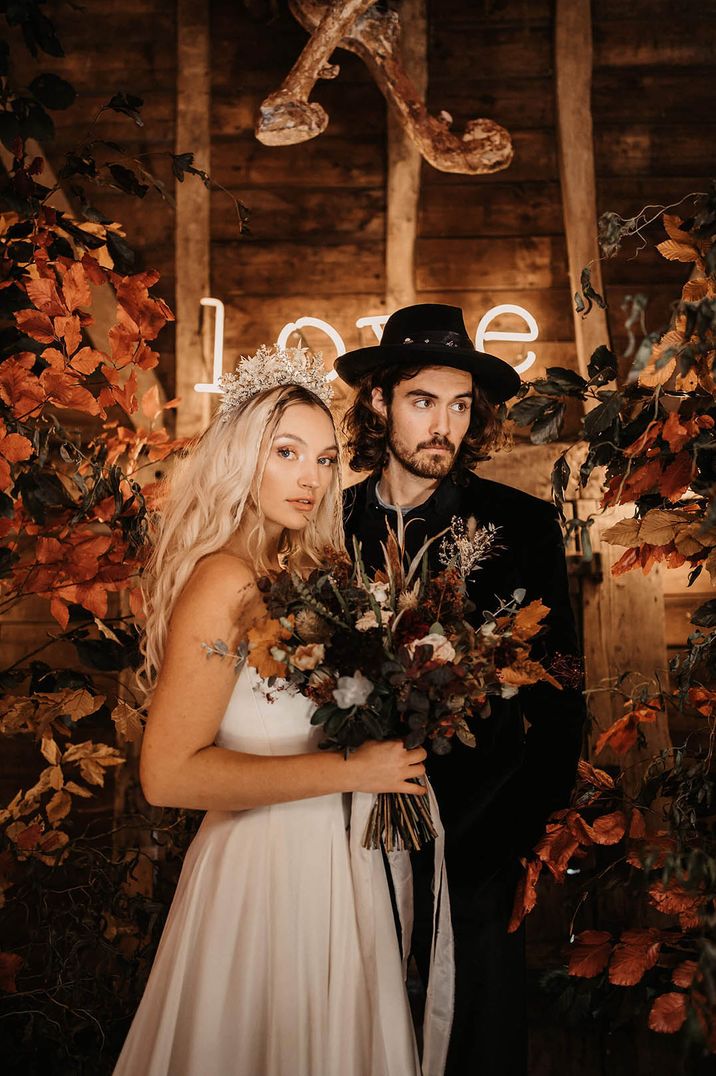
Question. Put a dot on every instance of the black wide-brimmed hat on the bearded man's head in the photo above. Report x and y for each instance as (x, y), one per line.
(430, 334)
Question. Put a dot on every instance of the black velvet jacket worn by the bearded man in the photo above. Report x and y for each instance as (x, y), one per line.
(495, 799)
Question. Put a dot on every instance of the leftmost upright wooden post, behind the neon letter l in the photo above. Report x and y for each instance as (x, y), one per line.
(192, 229)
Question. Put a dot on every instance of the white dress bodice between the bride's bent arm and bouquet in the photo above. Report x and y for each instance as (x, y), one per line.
(263, 720)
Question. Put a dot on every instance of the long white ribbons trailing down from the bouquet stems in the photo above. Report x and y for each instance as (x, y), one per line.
(369, 868)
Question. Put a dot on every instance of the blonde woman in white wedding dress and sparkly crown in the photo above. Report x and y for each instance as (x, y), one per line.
(280, 956)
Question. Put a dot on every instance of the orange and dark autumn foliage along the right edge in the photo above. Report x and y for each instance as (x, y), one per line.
(653, 435)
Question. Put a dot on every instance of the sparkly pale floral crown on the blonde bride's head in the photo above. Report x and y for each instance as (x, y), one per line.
(271, 369)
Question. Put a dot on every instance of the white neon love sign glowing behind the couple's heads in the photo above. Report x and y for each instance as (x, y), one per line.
(376, 322)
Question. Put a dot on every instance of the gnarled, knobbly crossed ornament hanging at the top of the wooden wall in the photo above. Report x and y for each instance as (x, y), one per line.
(288, 117)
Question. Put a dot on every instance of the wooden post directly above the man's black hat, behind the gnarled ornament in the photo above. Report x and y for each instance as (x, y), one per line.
(404, 165)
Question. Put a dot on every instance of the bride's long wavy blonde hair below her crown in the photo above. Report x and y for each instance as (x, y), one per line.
(204, 504)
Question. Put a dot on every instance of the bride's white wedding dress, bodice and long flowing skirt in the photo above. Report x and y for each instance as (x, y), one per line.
(279, 957)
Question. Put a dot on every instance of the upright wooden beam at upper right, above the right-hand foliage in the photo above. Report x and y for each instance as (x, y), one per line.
(573, 72)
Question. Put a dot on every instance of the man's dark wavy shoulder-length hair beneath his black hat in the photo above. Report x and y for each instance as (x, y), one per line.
(367, 432)
